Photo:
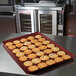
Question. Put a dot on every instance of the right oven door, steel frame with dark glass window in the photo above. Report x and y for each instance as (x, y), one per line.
(47, 21)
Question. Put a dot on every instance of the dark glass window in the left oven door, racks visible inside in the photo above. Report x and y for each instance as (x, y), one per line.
(25, 20)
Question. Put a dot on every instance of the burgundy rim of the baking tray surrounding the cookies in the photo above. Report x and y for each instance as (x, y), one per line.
(32, 34)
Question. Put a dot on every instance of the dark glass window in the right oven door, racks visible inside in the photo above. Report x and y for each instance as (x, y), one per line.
(46, 23)
